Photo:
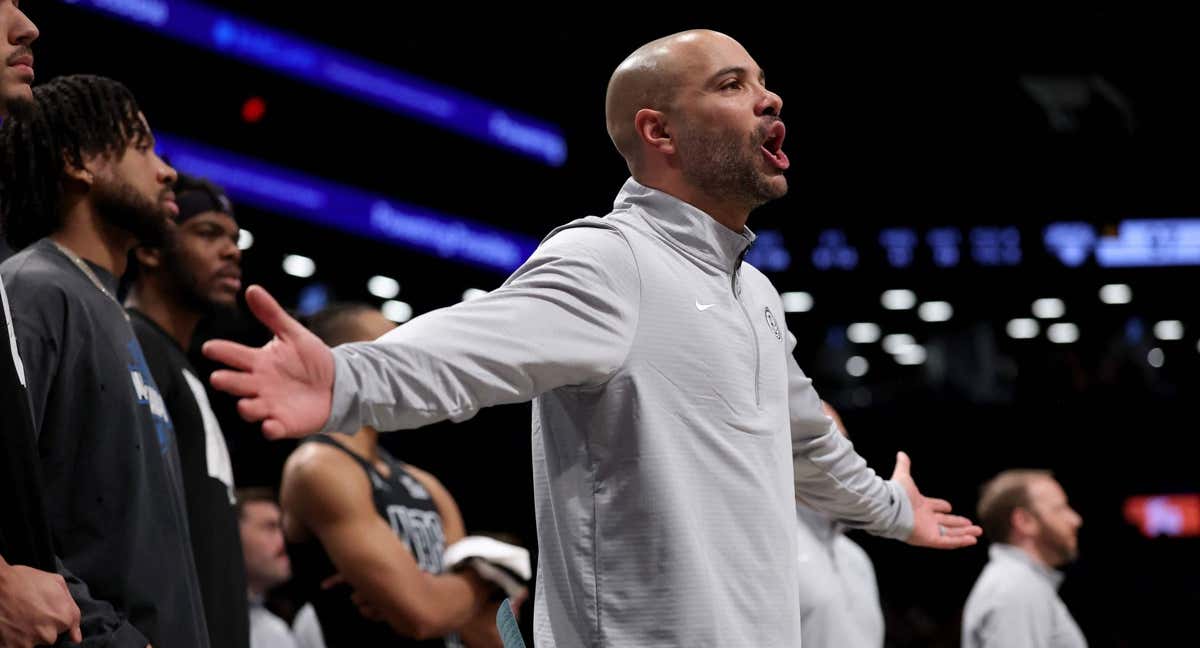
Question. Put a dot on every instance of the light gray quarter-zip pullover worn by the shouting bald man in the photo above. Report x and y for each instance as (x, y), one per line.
(673, 428)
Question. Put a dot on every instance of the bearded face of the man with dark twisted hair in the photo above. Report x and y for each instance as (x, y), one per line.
(134, 191)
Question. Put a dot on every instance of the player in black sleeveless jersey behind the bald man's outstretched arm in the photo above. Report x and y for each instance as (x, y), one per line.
(356, 515)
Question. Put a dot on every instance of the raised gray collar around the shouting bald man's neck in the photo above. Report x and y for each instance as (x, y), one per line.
(687, 229)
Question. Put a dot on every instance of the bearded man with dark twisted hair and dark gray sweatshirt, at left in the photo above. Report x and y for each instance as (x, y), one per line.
(83, 185)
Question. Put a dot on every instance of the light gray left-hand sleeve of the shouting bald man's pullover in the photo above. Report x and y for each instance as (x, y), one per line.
(567, 317)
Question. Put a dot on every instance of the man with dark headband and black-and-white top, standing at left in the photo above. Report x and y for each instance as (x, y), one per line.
(194, 273)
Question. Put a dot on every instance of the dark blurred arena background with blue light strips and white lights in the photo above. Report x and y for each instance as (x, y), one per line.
(989, 254)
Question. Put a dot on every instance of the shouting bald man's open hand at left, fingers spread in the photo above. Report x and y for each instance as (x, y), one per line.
(289, 383)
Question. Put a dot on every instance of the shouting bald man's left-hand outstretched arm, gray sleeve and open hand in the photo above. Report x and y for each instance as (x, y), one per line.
(567, 317)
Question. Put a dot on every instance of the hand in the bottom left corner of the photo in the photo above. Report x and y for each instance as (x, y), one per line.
(35, 608)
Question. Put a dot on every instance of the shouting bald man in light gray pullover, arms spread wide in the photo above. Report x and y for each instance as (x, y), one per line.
(673, 428)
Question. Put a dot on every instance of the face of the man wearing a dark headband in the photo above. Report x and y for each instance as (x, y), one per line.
(205, 261)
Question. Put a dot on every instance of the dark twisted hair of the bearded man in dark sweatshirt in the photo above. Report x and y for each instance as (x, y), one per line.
(71, 118)
